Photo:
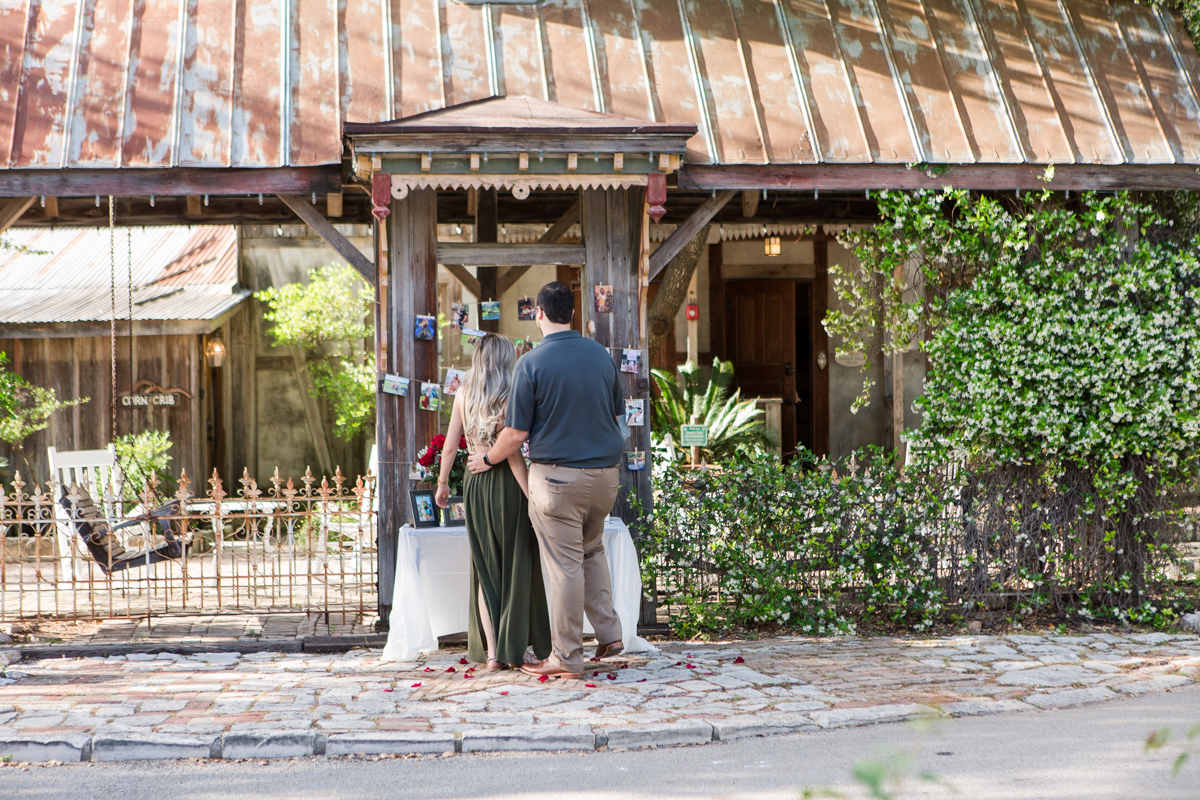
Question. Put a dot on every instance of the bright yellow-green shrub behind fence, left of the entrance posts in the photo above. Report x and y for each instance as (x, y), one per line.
(327, 318)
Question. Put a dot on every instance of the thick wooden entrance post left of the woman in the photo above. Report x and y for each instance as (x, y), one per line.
(401, 428)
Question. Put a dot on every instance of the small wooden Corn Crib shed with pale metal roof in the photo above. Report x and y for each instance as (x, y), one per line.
(176, 374)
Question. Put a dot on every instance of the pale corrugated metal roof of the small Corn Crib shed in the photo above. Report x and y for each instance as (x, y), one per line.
(67, 275)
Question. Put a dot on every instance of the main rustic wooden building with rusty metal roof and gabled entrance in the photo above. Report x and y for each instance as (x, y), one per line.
(329, 113)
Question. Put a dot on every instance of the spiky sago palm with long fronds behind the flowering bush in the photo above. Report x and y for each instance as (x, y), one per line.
(735, 426)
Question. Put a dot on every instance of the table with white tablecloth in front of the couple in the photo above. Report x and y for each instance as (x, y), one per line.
(433, 596)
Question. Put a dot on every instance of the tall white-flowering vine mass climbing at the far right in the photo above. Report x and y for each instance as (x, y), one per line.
(1065, 376)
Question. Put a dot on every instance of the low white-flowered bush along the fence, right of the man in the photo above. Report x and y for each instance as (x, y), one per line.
(764, 543)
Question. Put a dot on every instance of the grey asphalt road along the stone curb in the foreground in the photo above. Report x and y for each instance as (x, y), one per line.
(1094, 753)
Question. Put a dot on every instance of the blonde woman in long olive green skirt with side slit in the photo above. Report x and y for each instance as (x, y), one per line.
(508, 600)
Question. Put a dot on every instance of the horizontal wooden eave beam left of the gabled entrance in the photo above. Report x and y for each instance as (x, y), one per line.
(170, 183)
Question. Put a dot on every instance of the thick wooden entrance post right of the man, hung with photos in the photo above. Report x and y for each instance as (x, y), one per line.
(615, 252)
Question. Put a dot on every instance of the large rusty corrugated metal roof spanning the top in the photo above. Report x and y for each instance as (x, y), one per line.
(263, 83)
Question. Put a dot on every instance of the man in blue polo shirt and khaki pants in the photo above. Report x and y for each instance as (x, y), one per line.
(567, 401)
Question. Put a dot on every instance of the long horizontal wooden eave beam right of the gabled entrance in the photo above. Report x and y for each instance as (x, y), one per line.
(857, 178)
